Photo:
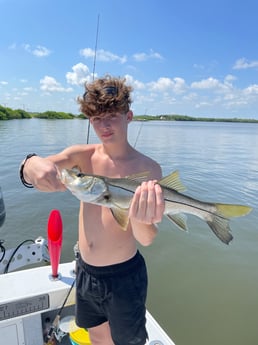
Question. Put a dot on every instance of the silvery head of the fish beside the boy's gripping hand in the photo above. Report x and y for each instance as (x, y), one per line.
(87, 188)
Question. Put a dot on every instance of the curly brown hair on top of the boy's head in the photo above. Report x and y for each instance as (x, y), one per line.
(104, 95)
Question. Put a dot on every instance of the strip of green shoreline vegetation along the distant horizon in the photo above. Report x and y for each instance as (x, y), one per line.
(10, 114)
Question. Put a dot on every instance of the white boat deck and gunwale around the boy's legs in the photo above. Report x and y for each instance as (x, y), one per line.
(28, 296)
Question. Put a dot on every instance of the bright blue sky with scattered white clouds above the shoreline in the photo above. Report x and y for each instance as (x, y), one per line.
(197, 58)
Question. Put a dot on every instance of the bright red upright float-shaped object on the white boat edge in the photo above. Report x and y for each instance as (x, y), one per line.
(55, 237)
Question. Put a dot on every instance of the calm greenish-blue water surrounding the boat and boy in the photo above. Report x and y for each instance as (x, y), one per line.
(201, 291)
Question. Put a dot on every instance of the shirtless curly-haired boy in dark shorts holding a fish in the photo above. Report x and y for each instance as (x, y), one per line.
(111, 282)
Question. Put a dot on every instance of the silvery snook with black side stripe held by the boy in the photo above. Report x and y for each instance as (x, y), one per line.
(117, 193)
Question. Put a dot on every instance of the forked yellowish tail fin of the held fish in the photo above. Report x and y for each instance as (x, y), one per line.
(219, 223)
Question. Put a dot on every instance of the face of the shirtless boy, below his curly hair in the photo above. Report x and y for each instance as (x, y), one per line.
(109, 126)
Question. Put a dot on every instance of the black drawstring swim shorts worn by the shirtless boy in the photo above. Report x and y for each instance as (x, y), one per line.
(117, 294)
